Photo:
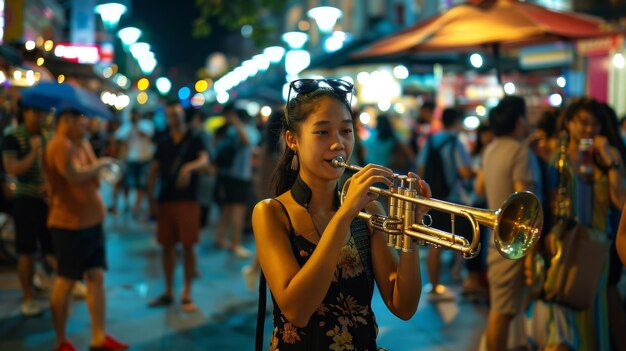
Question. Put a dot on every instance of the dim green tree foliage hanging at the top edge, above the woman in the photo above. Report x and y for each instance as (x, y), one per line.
(233, 14)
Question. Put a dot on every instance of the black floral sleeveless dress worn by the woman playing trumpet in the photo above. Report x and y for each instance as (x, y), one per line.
(344, 320)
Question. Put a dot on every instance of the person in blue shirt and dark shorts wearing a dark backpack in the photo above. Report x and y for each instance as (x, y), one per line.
(445, 163)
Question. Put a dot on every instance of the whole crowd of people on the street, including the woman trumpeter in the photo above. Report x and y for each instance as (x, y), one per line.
(320, 260)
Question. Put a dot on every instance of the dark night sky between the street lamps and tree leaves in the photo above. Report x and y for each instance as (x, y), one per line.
(167, 28)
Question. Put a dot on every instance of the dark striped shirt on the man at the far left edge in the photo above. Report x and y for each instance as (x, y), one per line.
(17, 144)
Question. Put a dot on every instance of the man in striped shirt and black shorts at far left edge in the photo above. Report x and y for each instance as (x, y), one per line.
(22, 151)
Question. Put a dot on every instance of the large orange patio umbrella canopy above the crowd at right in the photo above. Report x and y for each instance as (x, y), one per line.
(493, 23)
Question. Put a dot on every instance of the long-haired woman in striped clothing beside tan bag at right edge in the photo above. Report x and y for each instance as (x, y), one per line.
(589, 199)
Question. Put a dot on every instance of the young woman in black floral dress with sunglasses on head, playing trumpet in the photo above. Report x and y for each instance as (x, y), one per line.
(320, 260)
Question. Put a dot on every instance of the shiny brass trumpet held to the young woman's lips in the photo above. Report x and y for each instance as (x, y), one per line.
(516, 224)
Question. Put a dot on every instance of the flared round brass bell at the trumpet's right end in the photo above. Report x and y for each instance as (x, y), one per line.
(518, 225)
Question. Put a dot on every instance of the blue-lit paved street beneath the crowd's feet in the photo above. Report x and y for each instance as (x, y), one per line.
(227, 315)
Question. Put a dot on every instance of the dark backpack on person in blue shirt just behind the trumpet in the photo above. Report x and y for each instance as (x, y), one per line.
(434, 169)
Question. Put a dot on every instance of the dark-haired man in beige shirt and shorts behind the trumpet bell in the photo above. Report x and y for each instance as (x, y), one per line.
(505, 169)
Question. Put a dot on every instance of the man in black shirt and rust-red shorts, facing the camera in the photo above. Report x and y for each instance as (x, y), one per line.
(179, 156)
